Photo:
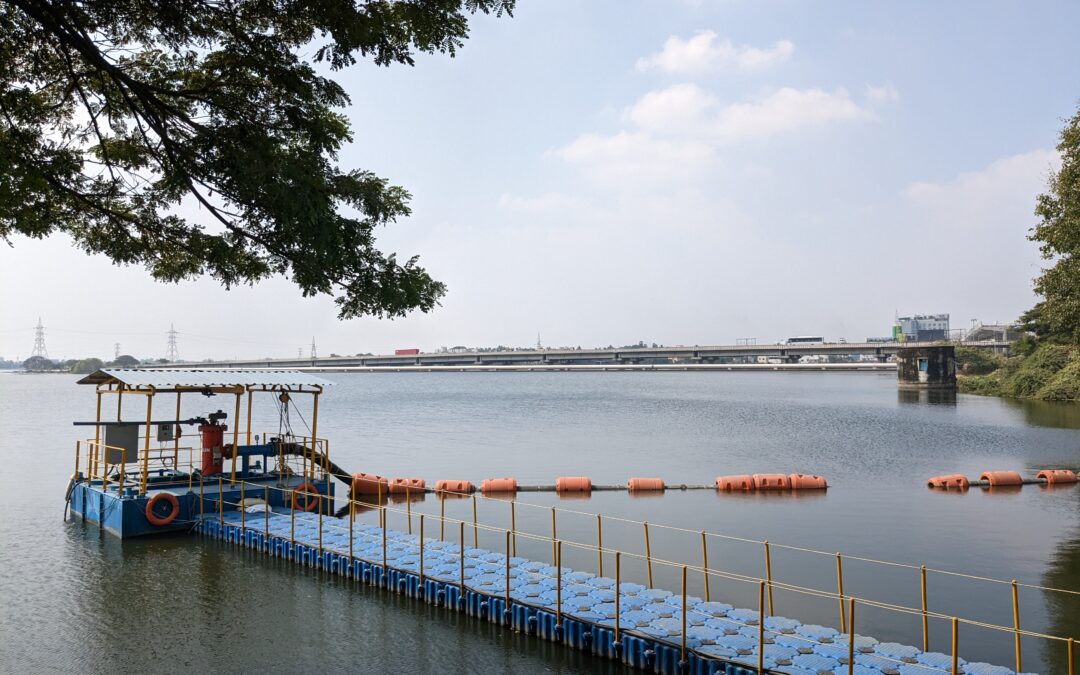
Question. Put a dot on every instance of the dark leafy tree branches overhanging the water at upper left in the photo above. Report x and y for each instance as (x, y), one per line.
(114, 115)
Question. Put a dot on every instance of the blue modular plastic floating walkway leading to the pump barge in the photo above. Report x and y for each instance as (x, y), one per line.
(577, 607)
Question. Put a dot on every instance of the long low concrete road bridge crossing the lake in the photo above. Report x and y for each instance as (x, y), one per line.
(617, 357)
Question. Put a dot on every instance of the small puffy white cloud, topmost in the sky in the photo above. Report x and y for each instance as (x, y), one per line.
(705, 52)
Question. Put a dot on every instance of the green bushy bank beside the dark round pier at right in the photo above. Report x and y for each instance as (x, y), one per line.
(1047, 373)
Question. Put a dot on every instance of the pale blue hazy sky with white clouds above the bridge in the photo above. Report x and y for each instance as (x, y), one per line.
(683, 173)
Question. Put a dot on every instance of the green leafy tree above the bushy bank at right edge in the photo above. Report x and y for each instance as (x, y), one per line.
(1058, 317)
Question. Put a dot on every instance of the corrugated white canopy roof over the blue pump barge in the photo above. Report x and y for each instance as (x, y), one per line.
(204, 379)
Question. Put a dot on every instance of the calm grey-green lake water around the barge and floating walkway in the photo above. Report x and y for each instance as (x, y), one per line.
(73, 599)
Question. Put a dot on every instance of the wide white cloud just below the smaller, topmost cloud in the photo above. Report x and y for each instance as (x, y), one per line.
(688, 110)
